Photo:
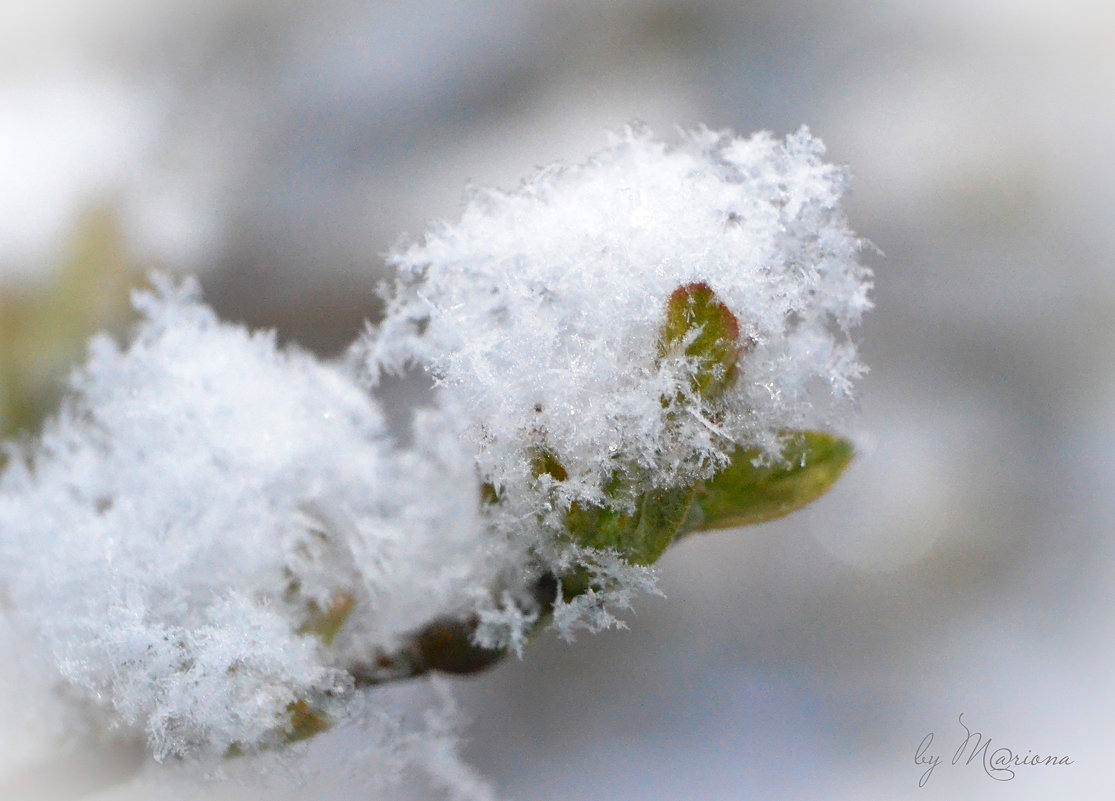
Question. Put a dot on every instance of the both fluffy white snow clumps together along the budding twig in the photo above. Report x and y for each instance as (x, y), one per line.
(218, 542)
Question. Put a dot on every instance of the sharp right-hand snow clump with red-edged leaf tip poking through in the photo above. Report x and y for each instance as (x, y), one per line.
(615, 333)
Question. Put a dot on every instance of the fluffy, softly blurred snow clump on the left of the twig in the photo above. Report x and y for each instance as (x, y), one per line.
(200, 500)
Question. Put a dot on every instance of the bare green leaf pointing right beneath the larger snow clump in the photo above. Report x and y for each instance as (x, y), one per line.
(744, 495)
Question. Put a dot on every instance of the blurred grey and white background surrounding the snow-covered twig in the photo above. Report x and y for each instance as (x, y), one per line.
(965, 564)
